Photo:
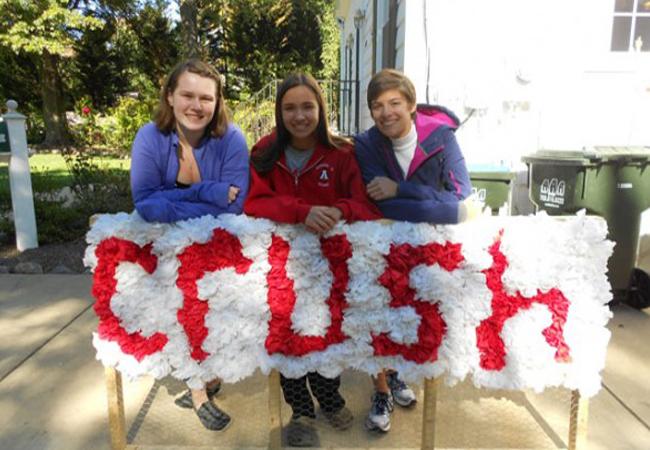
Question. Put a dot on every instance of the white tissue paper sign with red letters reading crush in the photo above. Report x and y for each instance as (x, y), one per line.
(513, 302)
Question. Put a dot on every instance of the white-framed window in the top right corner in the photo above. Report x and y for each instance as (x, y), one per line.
(631, 27)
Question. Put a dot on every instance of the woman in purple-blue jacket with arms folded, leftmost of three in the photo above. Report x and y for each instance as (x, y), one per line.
(191, 162)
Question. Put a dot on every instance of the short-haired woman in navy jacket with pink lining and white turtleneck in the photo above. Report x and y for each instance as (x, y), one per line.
(414, 171)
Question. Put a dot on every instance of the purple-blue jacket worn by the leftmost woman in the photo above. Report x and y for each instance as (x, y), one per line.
(222, 162)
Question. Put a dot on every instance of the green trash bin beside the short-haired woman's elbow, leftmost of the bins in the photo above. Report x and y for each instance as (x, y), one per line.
(492, 185)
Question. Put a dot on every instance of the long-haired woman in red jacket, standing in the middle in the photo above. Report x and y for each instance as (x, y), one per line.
(301, 173)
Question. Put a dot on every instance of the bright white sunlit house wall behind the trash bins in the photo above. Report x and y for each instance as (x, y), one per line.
(536, 74)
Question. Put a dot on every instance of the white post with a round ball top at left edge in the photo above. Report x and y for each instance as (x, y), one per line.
(20, 181)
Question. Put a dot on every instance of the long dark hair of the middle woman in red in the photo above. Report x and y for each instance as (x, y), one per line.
(264, 159)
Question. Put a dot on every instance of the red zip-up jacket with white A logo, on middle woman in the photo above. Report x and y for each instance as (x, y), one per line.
(331, 177)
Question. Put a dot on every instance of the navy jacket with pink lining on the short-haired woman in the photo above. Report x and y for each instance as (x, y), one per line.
(437, 180)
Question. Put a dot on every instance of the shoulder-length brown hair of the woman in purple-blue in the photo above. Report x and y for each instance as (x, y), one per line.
(164, 116)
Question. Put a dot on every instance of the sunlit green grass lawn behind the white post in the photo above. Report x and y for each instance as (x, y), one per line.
(49, 172)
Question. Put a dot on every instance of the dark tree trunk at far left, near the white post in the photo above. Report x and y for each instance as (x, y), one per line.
(56, 127)
